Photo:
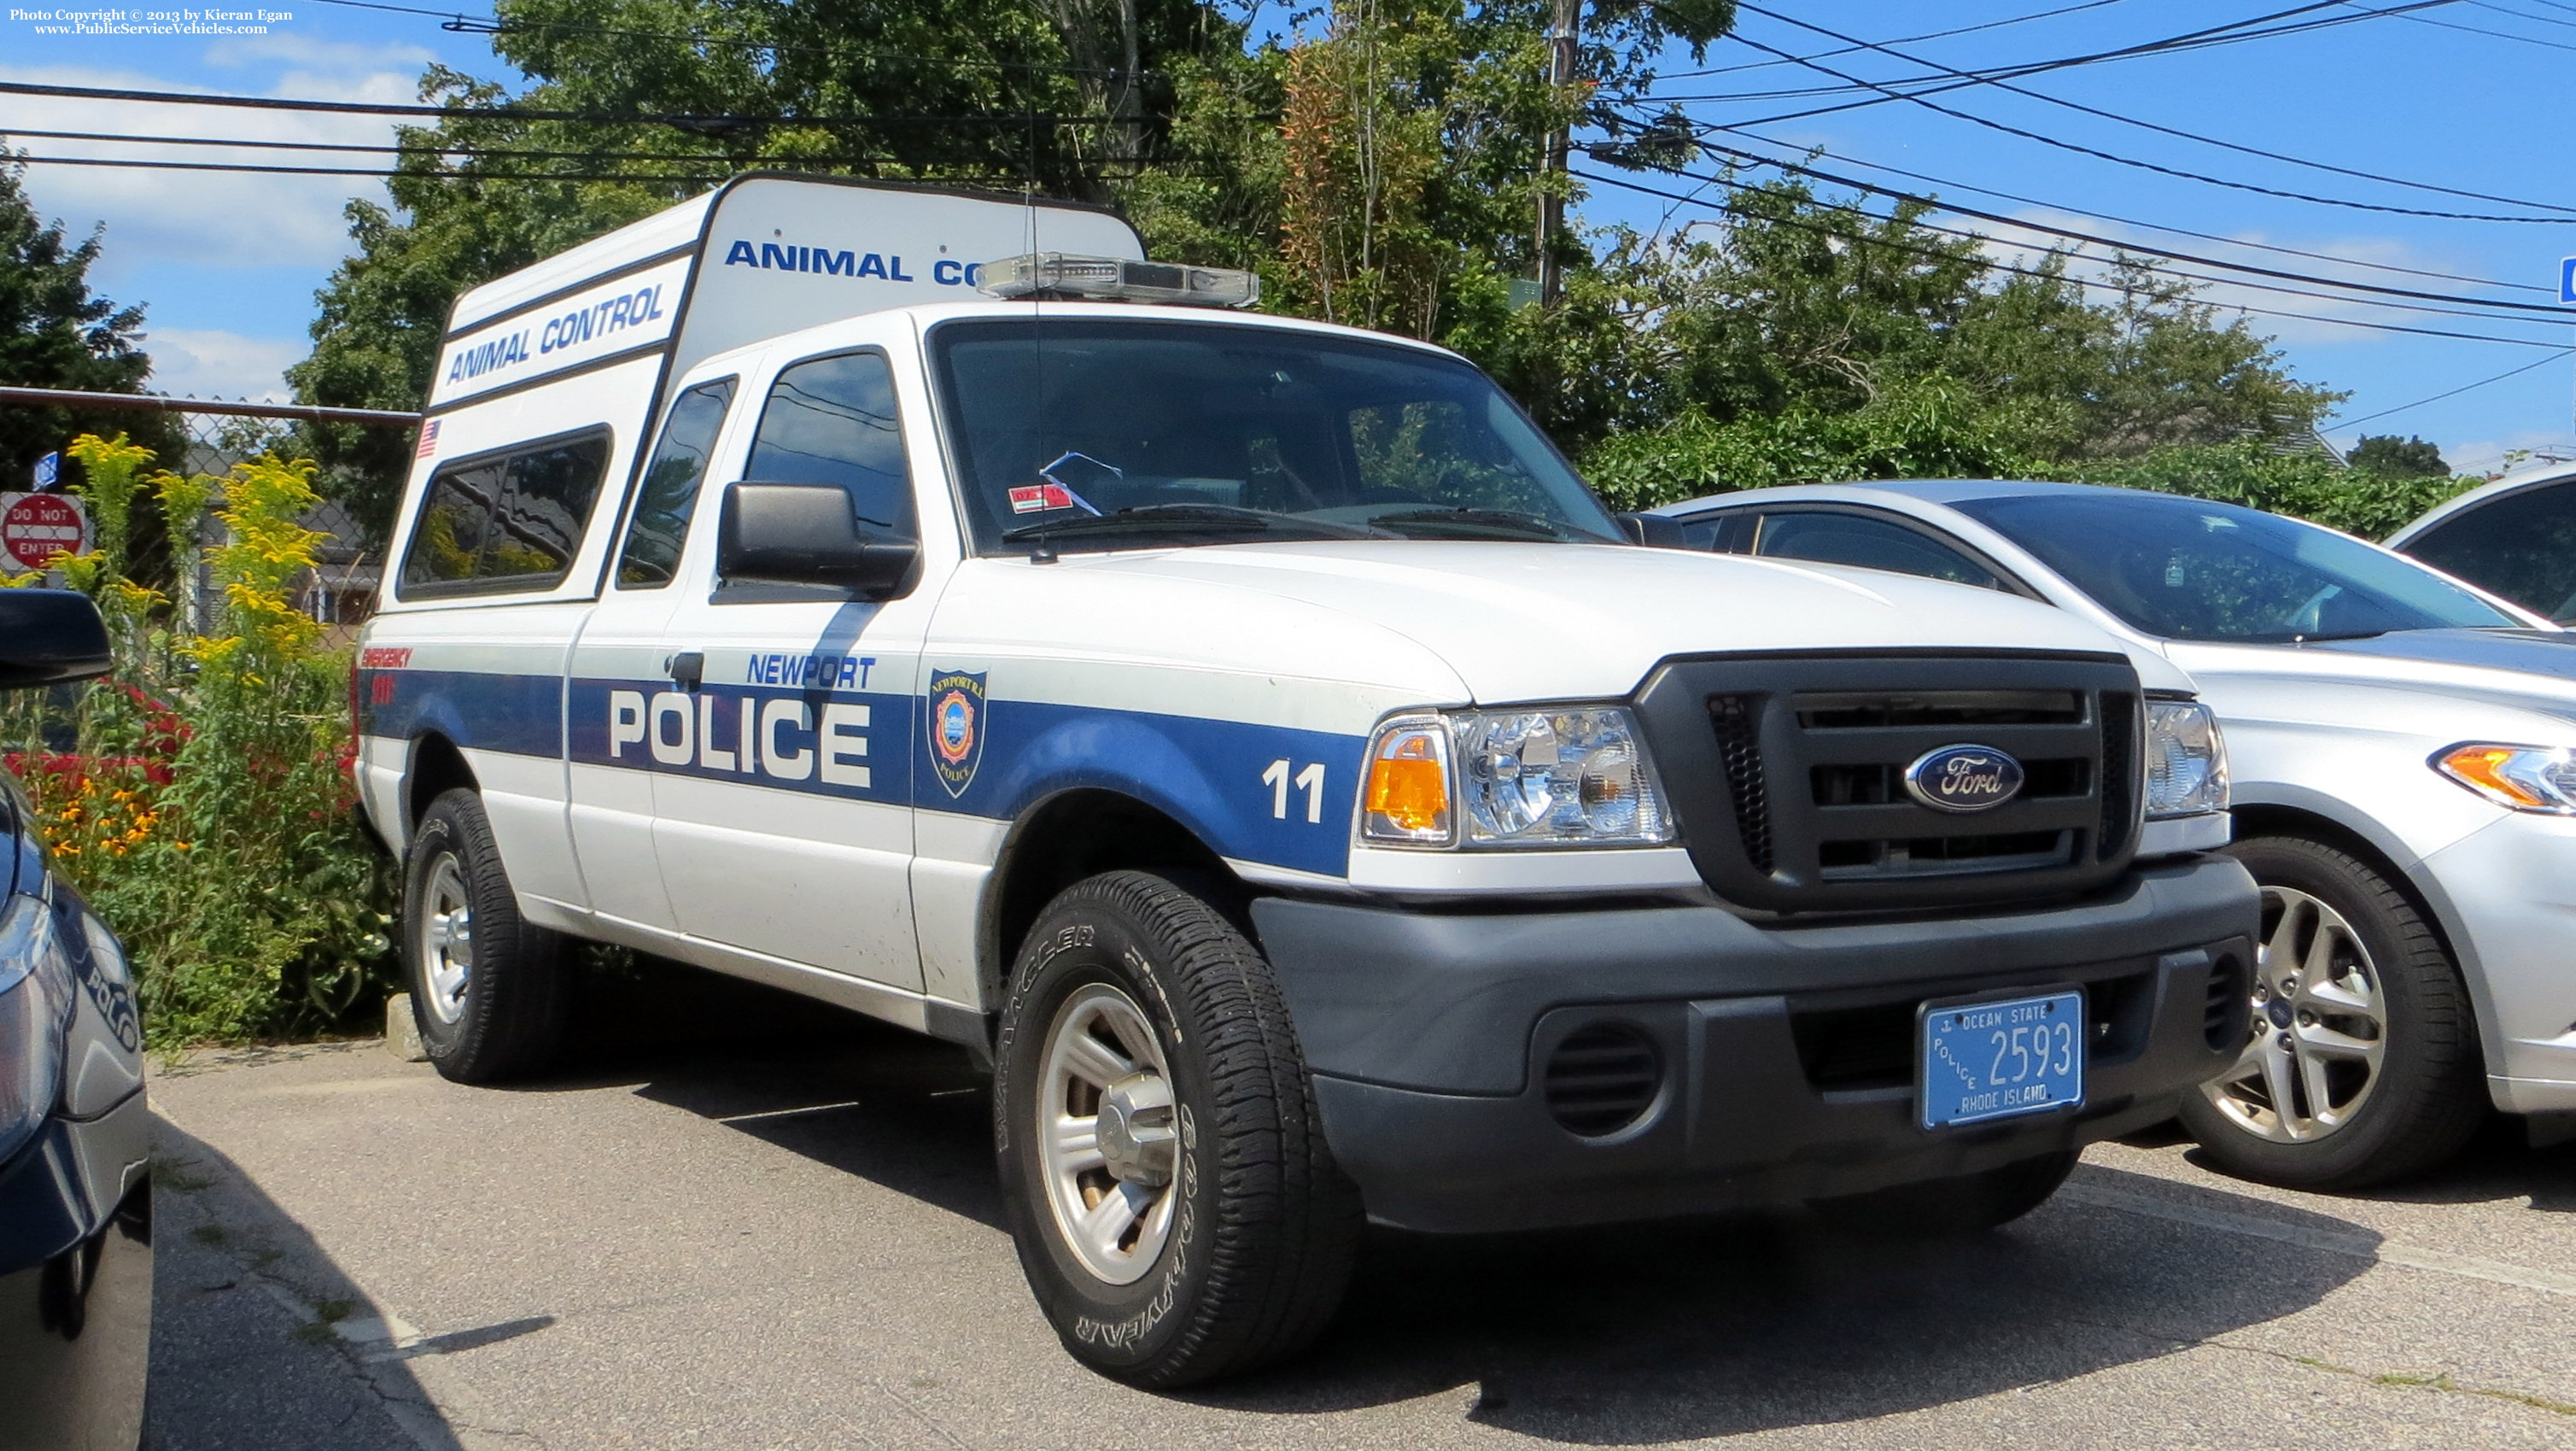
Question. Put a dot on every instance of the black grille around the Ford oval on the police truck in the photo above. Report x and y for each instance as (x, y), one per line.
(1797, 762)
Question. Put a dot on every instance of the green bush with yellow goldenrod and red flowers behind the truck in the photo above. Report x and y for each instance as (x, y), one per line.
(205, 805)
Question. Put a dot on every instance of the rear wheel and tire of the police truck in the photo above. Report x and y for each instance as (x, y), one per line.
(488, 991)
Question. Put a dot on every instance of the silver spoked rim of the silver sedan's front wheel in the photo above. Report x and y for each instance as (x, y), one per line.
(2320, 1027)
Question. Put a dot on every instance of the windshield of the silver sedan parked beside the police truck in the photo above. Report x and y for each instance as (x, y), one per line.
(2206, 571)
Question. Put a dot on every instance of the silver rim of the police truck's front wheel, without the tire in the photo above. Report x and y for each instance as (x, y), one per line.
(1106, 1133)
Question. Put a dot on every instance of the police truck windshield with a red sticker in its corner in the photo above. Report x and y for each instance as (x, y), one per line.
(1114, 434)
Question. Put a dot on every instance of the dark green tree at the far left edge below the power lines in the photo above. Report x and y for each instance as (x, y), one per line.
(55, 334)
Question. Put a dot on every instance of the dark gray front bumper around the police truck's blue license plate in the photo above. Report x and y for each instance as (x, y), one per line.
(1428, 1035)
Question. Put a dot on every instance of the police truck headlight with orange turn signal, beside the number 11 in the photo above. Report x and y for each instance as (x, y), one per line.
(1498, 780)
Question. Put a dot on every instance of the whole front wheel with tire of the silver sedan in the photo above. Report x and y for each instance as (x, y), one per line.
(2361, 1061)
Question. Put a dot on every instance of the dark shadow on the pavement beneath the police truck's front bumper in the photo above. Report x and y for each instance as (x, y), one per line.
(1756, 1323)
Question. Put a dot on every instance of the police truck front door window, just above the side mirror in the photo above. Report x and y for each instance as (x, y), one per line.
(831, 421)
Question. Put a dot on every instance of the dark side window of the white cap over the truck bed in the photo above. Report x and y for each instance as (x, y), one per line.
(506, 524)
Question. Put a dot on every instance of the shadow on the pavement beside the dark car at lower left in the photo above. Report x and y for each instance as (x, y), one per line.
(259, 1339)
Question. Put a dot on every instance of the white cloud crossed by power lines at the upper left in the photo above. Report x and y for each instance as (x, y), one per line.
(194, 215)
